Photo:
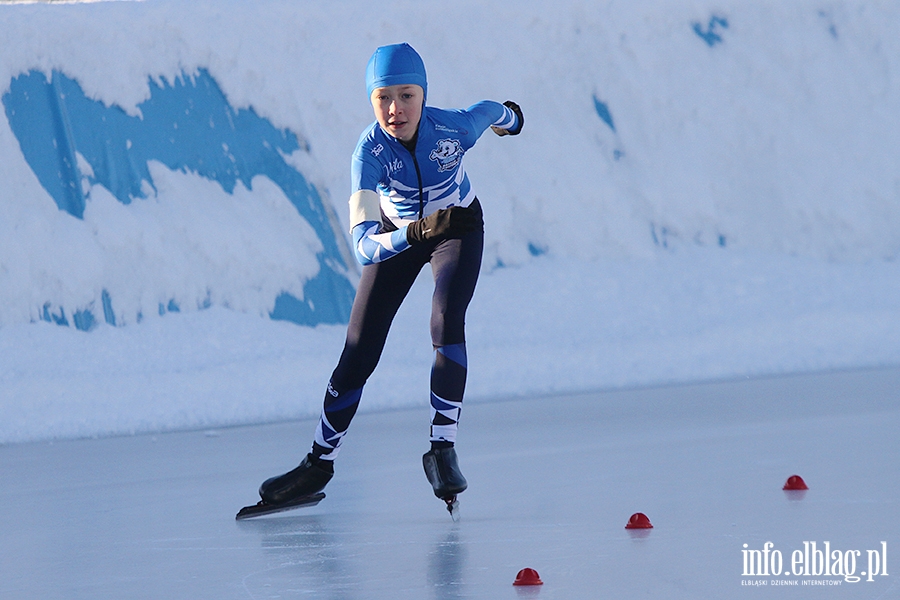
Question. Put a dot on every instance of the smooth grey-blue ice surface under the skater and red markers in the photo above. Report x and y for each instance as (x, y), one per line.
(552, 483)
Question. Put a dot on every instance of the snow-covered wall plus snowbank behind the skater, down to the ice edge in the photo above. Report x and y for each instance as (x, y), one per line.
(702, 190)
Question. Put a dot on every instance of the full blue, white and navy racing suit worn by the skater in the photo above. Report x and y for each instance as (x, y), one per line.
(394, 184)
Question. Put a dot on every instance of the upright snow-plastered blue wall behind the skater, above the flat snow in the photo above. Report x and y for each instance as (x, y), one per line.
(162, 156)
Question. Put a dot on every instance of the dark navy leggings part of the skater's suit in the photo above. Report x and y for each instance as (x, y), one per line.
(383, 286)
